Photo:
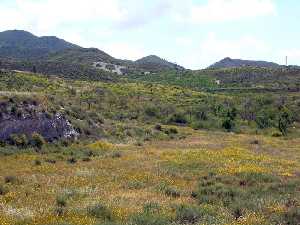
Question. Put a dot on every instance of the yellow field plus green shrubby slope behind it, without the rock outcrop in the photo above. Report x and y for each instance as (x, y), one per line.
(151, 154)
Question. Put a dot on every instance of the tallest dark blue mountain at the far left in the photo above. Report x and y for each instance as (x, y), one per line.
(20, 44)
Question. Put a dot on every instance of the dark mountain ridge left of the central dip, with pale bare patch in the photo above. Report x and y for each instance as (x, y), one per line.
(21, 45)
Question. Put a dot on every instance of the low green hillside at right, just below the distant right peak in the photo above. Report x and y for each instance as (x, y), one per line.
(240, 78)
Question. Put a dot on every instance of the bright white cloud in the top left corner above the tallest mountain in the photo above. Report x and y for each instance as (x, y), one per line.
(48, 15)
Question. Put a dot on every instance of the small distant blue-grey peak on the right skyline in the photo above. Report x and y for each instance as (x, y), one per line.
(230, 63)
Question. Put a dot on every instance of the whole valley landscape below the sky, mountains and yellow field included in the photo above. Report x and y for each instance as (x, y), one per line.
(88, 139)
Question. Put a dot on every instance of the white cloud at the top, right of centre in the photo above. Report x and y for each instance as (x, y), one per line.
(225, 10)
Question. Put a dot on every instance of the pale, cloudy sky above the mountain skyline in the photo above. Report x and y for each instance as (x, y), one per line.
(192, 33)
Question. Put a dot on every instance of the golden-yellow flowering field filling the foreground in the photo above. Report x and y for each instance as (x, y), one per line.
(206, 178)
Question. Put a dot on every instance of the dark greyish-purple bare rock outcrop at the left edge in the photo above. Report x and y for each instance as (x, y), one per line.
(52, 127)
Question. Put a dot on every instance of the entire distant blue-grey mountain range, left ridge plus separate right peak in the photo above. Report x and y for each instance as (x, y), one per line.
(51, 55)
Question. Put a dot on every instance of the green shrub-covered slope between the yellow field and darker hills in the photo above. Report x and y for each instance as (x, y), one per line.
(124, 111)
